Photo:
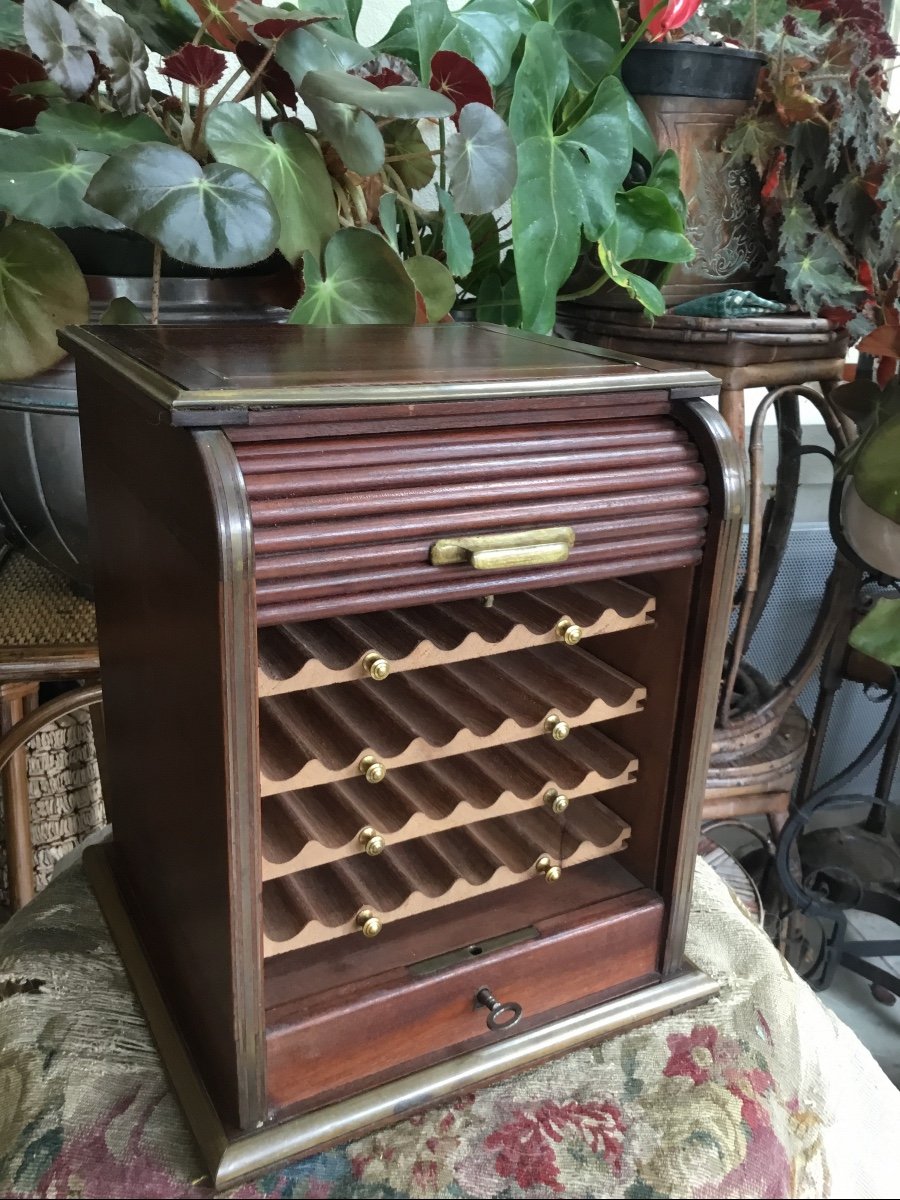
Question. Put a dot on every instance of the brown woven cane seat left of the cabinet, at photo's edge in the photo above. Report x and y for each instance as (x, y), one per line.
(40, 609)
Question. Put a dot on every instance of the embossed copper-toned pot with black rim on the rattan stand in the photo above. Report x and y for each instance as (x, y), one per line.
(692, 98)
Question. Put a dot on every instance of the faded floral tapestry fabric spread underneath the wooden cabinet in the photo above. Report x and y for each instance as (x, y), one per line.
(760, 1093)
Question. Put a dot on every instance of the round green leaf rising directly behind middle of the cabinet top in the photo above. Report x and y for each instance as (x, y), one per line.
(364, 284)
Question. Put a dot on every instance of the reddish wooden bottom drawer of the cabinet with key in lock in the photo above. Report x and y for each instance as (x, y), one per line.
(350, 1034)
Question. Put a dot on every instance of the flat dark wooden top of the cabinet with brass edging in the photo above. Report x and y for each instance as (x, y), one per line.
(254, 367)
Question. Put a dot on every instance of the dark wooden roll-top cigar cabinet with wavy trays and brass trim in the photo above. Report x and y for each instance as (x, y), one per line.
(411, 643)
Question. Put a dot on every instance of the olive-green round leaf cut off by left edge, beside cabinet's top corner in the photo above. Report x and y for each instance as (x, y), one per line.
(41, 290)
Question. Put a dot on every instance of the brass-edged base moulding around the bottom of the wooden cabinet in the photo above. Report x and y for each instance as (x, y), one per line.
(232, 1160)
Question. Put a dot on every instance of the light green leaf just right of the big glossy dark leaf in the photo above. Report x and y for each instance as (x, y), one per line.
(290, 167)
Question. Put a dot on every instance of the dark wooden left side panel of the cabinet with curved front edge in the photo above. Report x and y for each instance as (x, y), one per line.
(176, 625)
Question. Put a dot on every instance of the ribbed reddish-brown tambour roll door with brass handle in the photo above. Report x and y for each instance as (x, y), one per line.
(347, 525)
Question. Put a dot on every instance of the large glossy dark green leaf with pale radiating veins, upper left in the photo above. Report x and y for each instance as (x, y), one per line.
(208, 217)
